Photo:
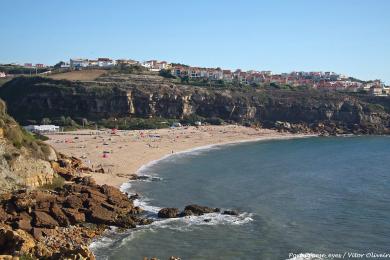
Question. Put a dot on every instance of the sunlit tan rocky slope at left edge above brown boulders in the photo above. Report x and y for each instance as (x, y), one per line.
(24, 162)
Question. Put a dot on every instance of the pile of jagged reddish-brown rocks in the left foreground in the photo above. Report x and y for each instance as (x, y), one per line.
(60, 223)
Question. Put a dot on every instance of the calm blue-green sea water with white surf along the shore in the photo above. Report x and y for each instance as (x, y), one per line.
(315, 195)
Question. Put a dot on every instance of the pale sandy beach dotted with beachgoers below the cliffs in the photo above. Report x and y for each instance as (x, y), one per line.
(122, 153)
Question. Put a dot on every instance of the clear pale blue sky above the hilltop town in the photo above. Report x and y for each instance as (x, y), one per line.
(350, 37)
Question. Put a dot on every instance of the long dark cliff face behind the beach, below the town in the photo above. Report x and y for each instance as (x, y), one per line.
(34, 98)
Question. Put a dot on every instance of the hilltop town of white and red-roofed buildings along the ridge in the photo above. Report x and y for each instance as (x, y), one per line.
(324, 81)
